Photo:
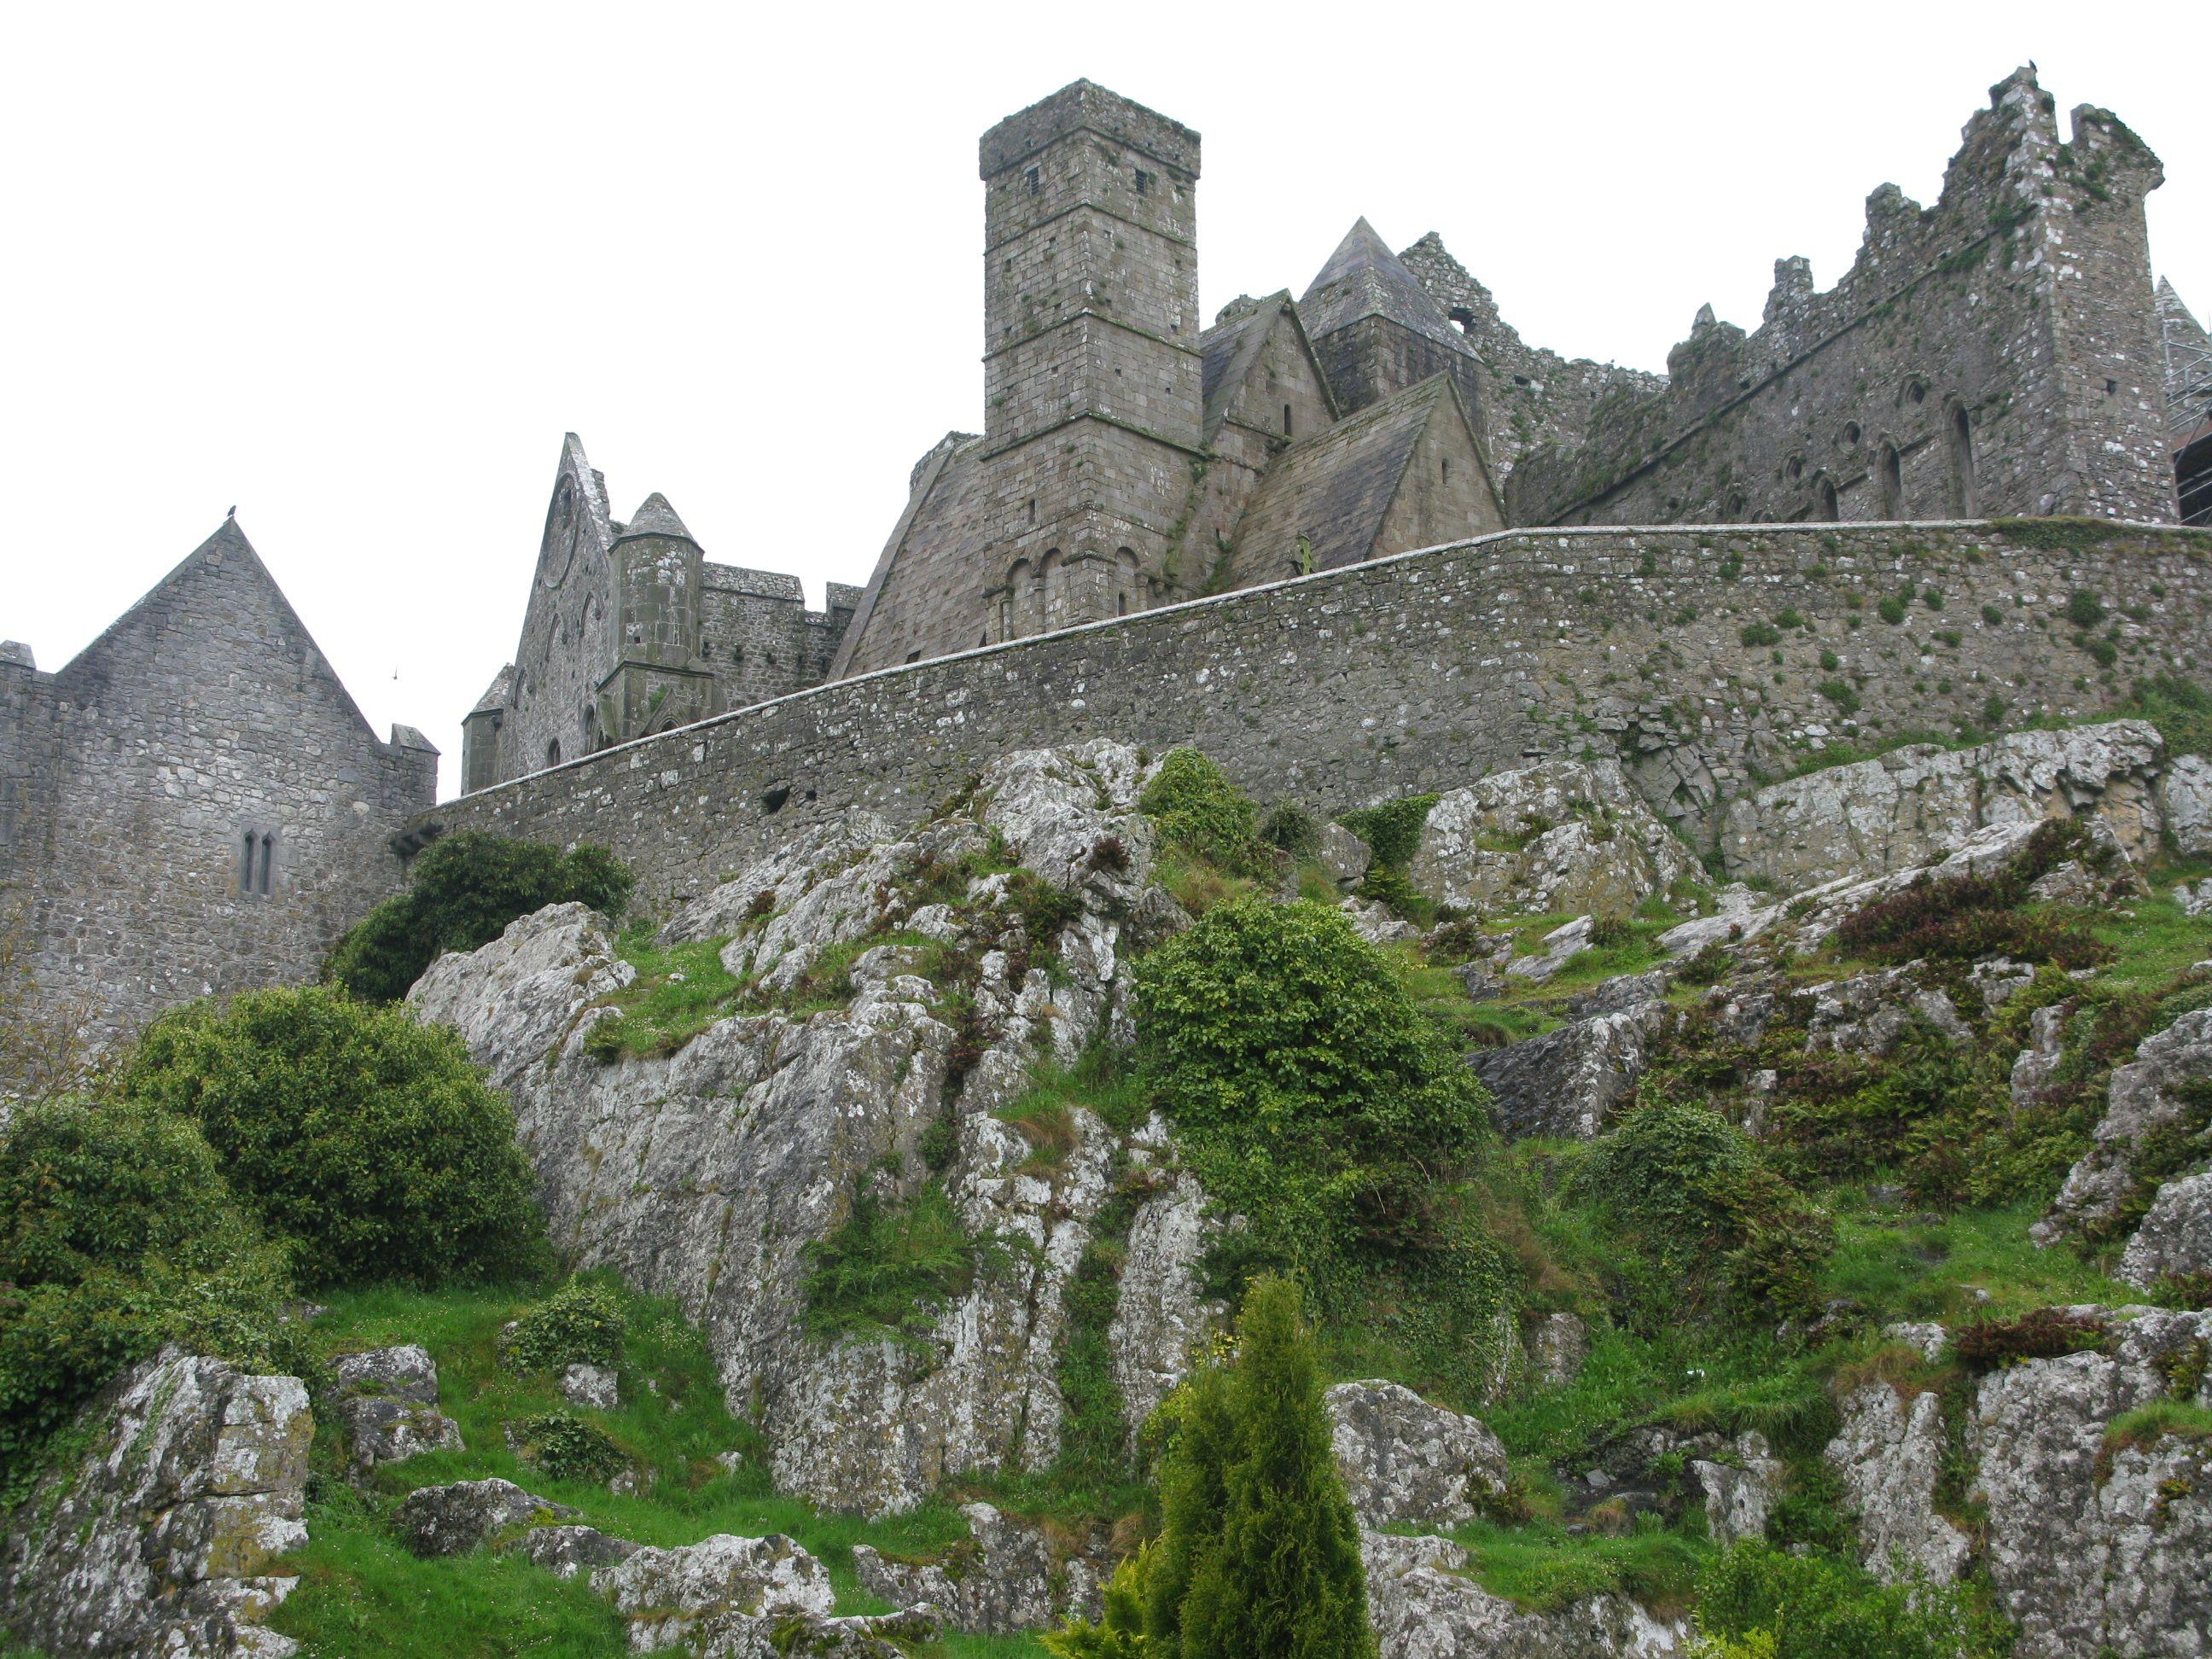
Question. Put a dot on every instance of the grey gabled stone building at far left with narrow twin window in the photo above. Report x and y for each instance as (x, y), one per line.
(202, 720)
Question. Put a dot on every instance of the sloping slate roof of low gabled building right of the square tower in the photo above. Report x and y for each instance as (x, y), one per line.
(1337, 488)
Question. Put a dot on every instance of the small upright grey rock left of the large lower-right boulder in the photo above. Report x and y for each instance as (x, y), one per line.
(1890, 1452)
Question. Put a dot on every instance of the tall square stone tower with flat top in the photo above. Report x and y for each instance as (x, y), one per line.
(1092, 357)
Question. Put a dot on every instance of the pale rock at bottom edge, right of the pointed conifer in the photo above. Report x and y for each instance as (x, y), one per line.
(1426, 1609)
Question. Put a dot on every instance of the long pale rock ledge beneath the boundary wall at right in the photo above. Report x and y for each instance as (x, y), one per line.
(1914, 804)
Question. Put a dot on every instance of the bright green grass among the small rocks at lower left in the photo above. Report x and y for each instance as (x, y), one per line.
(364, 1598)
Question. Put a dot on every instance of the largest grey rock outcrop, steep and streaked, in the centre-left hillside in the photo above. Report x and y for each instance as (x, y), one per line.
(709, 1171)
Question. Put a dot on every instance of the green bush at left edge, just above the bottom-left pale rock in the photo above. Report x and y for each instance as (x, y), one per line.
(118, 1235)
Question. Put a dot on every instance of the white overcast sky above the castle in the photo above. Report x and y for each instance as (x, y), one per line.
(359, 269)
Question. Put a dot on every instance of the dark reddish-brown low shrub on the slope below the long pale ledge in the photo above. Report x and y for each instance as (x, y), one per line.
(1976, 917)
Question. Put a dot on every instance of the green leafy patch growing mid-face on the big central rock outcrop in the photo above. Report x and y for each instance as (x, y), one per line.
(890, 1266)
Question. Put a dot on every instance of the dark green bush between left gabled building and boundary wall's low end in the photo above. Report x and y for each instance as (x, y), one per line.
(463, 893)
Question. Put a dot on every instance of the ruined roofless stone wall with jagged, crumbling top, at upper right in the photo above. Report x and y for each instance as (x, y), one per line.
(1990, 355)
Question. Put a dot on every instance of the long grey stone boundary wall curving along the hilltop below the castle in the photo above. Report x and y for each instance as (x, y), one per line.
(1428, 669)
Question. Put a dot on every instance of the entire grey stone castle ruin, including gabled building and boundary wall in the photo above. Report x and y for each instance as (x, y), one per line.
(1348, 541)
